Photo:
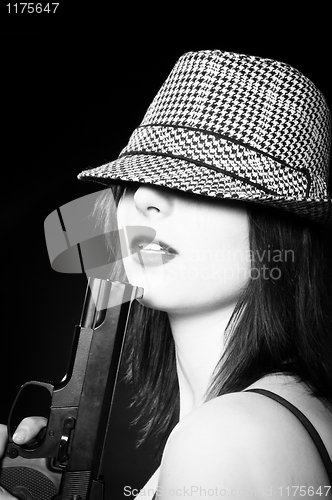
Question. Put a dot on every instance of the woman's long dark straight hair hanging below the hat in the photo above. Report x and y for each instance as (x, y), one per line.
(278, 324)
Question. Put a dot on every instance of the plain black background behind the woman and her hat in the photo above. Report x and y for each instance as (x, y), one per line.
(73, 87)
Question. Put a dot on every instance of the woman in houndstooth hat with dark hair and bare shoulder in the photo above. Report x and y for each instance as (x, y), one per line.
(230, 168)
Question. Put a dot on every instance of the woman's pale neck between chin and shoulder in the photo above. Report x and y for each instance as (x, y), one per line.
(199, 345)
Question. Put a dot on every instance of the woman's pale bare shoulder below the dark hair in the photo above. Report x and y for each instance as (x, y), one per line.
(240, 442)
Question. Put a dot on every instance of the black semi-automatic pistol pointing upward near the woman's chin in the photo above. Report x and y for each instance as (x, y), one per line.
(65, 463)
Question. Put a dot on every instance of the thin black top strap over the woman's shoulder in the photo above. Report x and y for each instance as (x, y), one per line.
(307, 424)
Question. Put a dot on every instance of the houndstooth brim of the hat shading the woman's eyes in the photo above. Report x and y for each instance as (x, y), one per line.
(180, 174)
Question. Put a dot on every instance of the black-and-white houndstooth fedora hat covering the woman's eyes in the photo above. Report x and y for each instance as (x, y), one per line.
(233, 126)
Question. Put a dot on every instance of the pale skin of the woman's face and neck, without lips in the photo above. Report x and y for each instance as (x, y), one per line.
(200, 287)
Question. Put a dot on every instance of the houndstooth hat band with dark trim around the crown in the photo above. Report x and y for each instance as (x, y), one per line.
(222, 155)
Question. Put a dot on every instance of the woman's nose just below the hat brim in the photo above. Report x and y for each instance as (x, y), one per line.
(152, 201)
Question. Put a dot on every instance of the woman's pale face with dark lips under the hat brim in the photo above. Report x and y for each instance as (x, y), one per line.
(199, 259)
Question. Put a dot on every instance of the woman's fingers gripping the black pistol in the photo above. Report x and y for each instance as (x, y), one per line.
(27, 429)
